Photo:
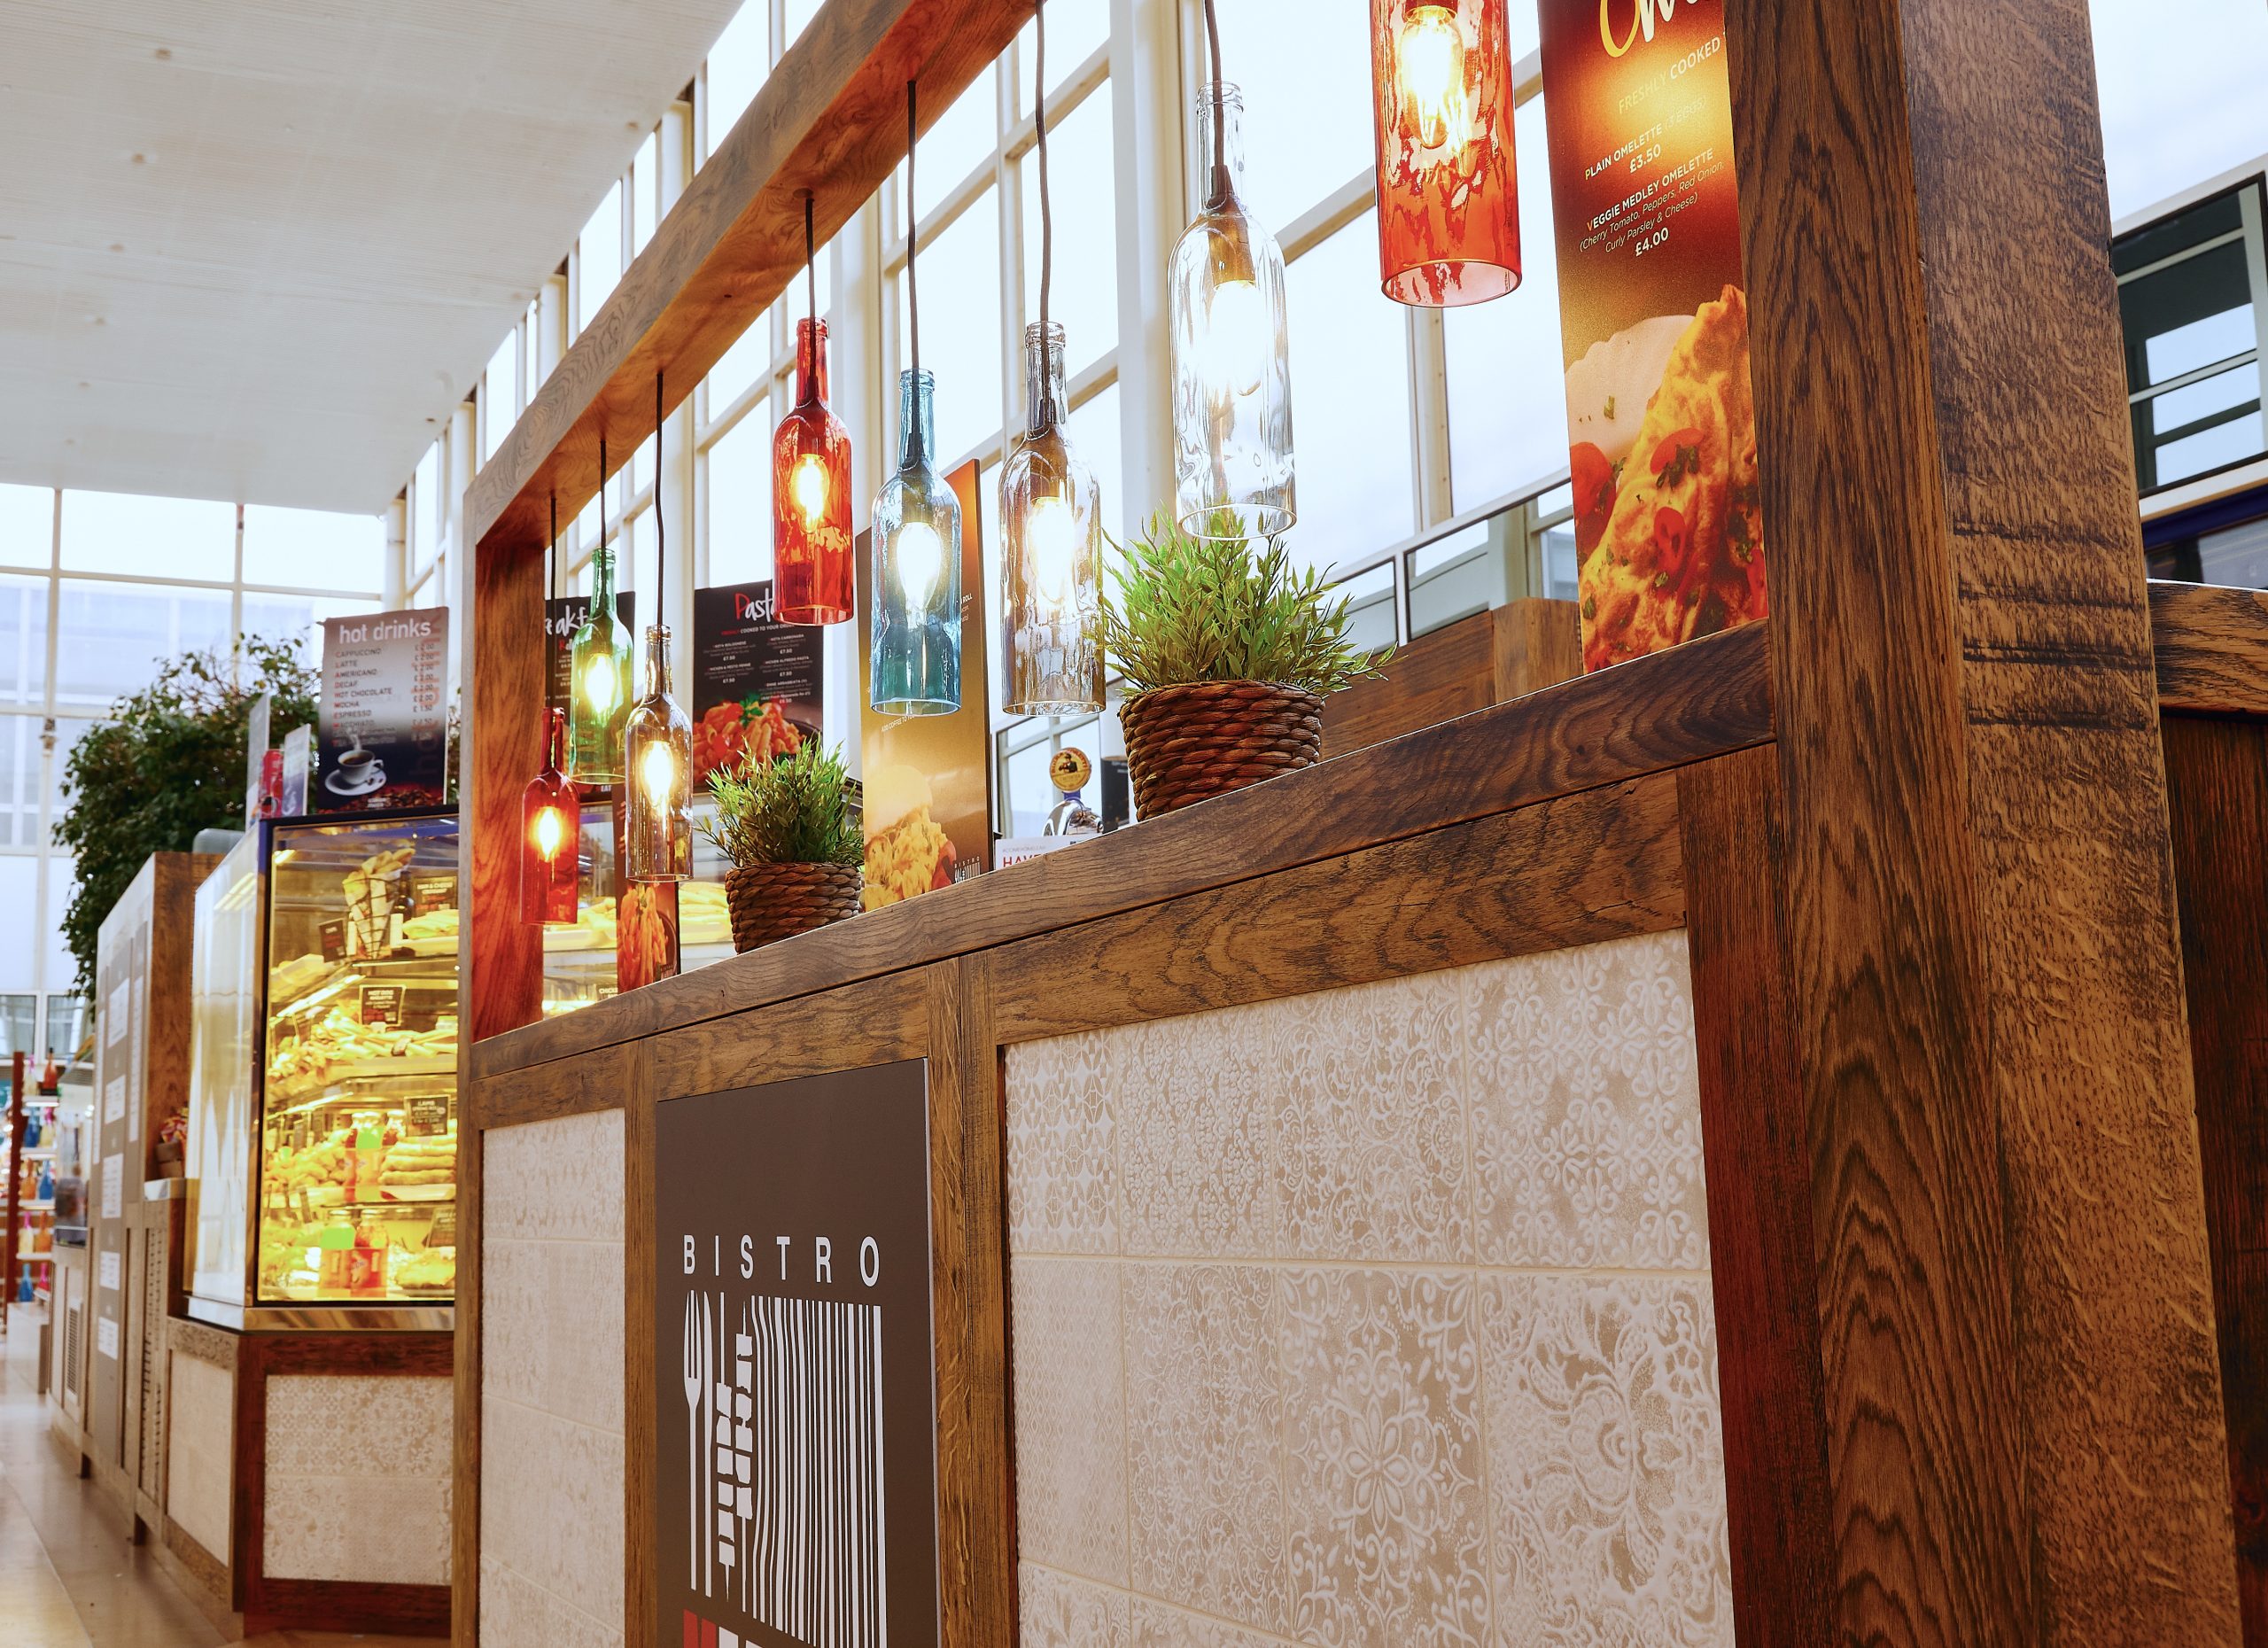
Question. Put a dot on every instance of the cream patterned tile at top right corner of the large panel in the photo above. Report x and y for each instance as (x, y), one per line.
(1586, 1107)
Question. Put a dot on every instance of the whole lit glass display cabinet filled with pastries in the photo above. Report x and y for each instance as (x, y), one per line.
(348, 1103)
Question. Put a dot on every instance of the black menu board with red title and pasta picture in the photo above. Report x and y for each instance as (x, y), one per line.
(756, 681)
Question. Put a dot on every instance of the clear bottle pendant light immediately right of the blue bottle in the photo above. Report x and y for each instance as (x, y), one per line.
(1051, 552)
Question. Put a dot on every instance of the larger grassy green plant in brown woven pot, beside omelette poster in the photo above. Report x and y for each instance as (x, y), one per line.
(1228, 654)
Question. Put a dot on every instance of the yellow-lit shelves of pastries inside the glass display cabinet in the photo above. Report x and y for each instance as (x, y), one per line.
(357, 1189)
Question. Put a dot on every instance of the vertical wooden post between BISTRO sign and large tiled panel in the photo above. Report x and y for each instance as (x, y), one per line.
(976, 1504)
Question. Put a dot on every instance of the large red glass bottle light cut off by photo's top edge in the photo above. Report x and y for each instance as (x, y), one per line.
(1448, 192)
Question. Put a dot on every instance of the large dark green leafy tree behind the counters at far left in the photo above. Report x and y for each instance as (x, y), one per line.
(167, 765)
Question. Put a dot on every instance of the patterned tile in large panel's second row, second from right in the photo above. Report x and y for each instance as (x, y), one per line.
(1382, 1416)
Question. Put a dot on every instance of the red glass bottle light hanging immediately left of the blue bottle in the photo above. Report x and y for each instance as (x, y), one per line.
(811, 495)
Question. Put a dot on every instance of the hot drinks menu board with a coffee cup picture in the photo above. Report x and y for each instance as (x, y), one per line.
(384, 713)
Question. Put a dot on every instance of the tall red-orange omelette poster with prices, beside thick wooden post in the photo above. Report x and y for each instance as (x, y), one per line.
(1655, 309)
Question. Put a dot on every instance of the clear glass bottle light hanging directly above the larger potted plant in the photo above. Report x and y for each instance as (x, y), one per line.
(1230, 350)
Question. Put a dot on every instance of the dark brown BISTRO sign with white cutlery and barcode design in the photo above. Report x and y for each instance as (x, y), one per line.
(795, 1427)
